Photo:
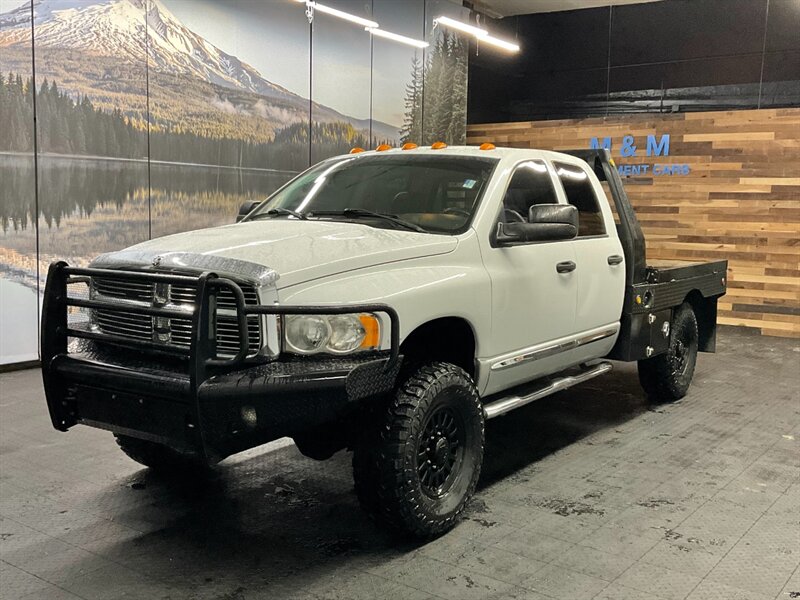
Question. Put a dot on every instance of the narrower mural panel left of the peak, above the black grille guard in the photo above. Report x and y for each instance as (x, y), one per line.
(91, 99)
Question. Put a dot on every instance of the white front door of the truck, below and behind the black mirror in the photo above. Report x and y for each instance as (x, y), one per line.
(534, 286)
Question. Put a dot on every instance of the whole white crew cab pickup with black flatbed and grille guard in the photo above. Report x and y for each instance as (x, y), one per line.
(388, 302)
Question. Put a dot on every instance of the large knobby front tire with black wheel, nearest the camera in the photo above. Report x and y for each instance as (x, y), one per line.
(420, 472)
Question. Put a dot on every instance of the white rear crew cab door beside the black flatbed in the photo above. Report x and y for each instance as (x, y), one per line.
(600, 266)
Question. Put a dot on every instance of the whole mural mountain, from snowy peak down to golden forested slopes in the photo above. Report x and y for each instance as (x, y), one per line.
(97, 48)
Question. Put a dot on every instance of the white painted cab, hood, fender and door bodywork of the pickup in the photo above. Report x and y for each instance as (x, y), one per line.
(512, 297)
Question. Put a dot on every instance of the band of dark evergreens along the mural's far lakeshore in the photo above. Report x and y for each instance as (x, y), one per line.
(73, 125)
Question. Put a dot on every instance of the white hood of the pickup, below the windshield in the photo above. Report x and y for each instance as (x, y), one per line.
(298, 251)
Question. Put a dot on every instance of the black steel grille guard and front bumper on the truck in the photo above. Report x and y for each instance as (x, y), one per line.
(190, 398)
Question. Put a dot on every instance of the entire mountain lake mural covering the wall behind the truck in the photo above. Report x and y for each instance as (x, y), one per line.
(159, 116)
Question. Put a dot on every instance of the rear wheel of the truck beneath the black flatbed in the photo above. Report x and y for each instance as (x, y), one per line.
(666, 377)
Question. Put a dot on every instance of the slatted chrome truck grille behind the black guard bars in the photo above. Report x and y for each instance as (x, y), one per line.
(173, 332)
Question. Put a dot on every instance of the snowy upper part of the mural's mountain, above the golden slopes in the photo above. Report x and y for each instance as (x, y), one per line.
(127, 29)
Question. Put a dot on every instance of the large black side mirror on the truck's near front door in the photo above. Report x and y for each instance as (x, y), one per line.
(547, 222)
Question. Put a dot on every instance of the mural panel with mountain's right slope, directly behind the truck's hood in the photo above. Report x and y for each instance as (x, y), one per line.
(221, 126)
